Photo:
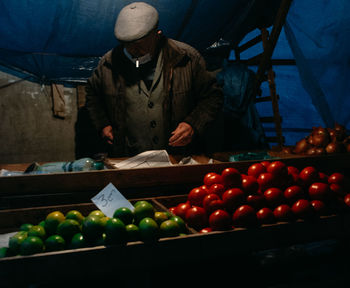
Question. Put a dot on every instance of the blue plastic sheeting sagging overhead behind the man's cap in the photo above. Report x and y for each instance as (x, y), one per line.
(62, 41)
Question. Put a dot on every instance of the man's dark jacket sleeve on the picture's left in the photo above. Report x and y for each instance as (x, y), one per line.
(95, 102)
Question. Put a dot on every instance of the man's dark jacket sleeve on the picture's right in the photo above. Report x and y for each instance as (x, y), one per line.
(208, 96)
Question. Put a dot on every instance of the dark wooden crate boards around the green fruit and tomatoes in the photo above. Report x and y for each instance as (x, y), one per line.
(29, 198)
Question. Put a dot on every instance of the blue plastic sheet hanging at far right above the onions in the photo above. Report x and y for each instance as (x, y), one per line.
(320, 41)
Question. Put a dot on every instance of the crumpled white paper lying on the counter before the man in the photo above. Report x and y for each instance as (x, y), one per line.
(148, 159)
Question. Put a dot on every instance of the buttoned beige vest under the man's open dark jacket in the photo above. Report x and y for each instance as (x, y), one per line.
(144, 114)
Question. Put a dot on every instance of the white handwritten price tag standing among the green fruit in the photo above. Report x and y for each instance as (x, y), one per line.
(110, 199)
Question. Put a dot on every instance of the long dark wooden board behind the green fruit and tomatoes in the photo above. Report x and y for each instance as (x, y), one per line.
(79, 187)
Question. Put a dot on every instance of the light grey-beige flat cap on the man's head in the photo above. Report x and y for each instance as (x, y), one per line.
(135, 21)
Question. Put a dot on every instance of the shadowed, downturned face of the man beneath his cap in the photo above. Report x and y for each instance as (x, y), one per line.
(143, 46)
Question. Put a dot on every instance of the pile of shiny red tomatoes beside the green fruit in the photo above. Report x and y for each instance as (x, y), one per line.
(270, 192)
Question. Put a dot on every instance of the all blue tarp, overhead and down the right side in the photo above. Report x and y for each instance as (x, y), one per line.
(62, 41)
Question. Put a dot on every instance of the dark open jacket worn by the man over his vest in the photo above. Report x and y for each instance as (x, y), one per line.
(192, 95)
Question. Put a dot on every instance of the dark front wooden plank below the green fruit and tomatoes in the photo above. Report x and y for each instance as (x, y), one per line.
(47, 267)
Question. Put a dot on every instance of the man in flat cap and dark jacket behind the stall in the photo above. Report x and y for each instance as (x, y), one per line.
(151, 92)
